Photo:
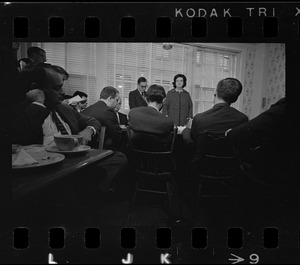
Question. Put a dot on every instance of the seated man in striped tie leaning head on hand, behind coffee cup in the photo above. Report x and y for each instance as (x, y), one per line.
(38, 119)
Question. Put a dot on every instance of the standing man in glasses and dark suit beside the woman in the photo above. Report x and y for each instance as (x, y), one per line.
(137, 98)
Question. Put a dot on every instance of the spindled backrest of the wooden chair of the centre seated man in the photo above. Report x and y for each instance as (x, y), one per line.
(151, 162)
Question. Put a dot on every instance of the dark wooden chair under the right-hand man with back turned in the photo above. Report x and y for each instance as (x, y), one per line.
(215, 167)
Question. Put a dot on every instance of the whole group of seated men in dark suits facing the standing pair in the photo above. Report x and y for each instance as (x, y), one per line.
(35, 119)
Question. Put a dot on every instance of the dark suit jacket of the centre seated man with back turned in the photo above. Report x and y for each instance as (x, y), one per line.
(148, 120)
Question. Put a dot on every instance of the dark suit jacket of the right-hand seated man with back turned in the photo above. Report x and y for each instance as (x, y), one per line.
(218, 119)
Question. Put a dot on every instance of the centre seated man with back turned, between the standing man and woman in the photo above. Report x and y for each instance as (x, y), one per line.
(150, 119)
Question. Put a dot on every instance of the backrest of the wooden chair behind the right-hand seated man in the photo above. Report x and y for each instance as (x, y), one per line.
(216, 156)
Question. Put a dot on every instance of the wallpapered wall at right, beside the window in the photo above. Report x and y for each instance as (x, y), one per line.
(264, 79)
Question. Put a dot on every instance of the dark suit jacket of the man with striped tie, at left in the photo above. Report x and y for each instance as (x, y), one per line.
(28, 120)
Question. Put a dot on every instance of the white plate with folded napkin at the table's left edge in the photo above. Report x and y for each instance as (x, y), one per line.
(43, 157)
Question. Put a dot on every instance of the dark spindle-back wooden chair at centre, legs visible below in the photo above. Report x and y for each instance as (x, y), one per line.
(152, 168)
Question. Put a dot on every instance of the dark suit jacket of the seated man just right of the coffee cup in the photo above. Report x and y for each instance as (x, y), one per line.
(114, 138)
